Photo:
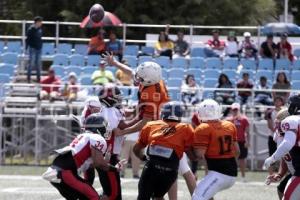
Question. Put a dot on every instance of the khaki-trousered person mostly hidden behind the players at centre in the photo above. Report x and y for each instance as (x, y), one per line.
(127, 152)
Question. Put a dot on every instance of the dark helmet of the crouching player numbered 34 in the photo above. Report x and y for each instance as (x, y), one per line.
(96, 124)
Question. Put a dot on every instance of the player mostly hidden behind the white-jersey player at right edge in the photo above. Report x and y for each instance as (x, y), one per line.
(286, 168)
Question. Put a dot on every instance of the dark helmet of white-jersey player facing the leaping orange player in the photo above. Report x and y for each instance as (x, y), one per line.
(110, 95)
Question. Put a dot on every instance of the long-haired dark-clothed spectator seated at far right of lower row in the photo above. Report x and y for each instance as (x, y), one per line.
(282, 83)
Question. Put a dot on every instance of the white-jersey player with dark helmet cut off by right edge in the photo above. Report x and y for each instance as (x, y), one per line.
(290, 144)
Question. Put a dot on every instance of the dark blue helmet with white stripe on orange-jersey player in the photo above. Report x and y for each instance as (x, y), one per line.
(172, 111)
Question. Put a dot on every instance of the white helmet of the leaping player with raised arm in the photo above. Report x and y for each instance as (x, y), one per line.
(148, 73)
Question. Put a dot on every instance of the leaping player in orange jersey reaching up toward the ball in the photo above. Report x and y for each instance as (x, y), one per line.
(152, 94)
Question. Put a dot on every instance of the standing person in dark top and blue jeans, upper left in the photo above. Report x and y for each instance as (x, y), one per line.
(34, 44)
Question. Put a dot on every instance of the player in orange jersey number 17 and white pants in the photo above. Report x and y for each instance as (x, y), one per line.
(216, 141)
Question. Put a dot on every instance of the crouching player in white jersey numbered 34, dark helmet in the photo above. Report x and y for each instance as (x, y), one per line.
(86, 150)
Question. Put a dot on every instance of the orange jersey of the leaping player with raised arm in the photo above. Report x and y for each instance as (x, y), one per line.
(151, 98)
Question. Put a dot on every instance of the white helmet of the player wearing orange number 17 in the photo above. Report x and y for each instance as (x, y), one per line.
(209, 109)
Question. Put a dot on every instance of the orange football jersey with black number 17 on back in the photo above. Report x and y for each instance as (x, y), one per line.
(217, 138)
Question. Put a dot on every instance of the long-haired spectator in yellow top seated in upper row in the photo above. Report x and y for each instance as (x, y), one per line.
(164, 46)
